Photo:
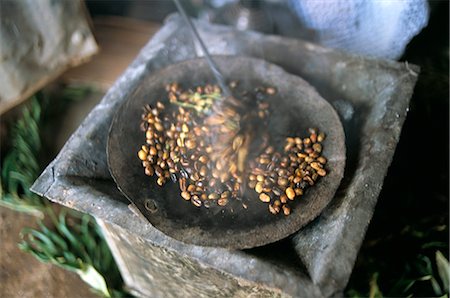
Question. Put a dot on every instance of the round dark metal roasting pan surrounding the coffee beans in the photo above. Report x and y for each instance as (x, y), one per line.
(295, 108)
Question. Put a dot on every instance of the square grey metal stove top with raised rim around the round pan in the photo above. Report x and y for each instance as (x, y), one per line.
(371, 97)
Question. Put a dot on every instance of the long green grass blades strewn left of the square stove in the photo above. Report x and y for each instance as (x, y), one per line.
(67, 239)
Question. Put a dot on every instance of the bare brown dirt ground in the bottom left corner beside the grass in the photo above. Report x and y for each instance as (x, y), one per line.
(21, 275)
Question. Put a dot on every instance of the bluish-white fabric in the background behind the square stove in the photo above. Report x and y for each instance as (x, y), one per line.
(378, 28)
